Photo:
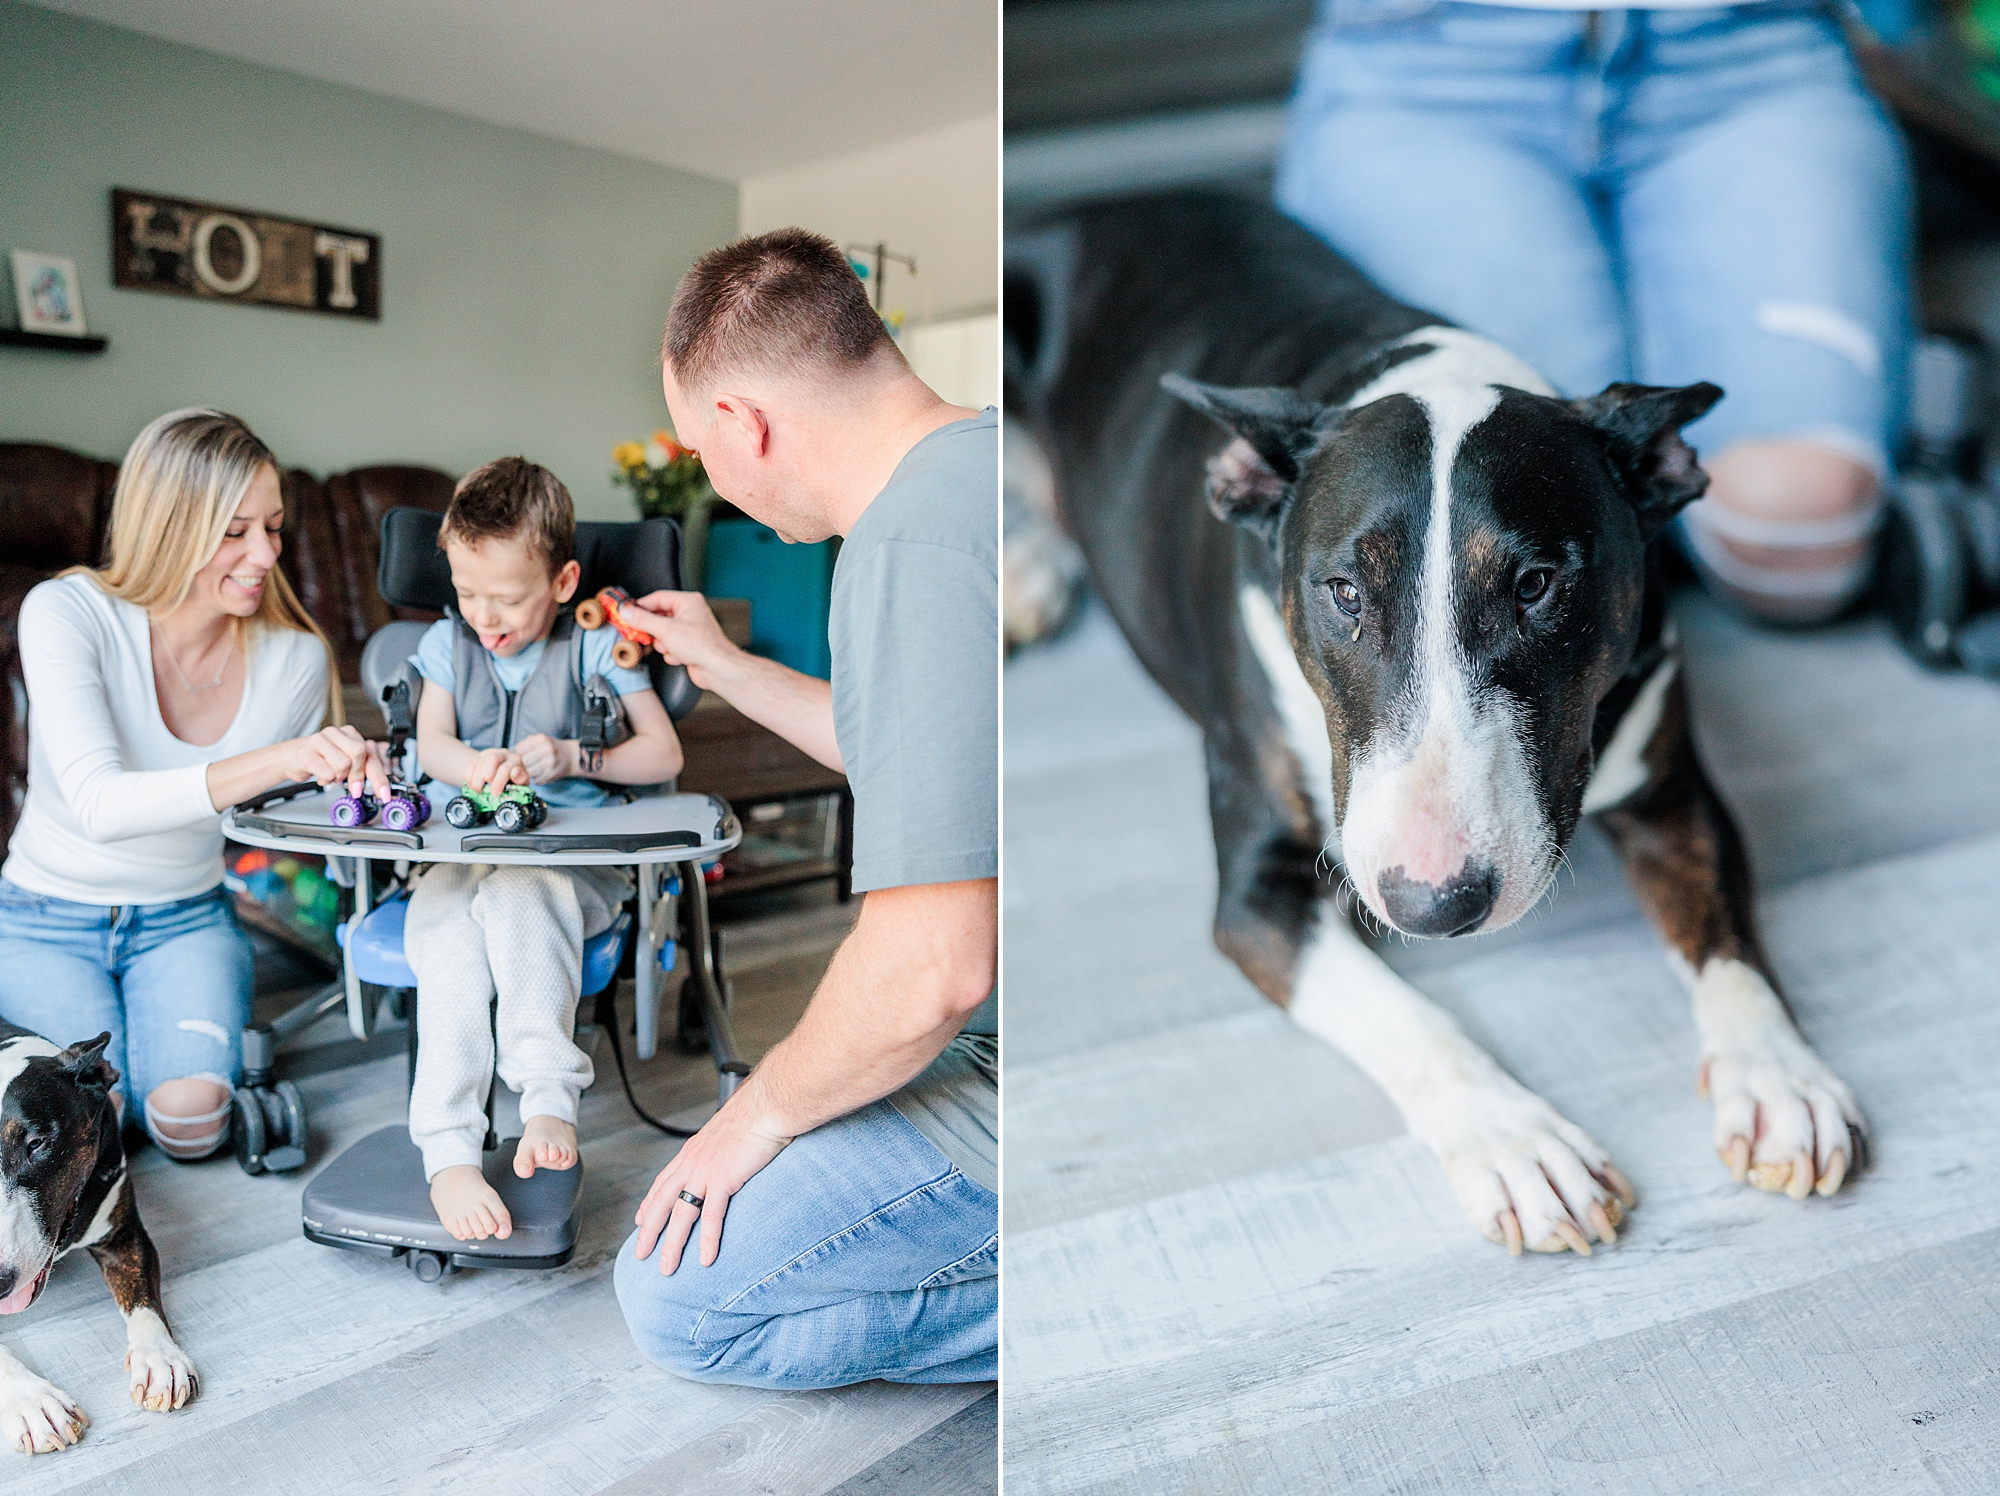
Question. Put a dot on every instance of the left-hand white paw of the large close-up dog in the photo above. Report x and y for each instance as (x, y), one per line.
(1525, 1175)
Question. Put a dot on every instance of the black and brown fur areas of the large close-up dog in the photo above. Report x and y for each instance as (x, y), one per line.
(1137, 329)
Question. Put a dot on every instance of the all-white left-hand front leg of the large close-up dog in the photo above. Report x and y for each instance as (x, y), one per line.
(1525, 1175)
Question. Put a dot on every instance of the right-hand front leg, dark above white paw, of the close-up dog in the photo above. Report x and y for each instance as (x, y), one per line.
(1785, 1121)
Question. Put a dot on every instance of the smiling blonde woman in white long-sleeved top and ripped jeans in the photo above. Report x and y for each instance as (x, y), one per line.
(173, 683)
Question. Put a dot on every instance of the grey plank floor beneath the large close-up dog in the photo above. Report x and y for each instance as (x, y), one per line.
(1231, 1271)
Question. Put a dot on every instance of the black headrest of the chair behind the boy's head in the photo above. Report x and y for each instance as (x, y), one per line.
(637, 555)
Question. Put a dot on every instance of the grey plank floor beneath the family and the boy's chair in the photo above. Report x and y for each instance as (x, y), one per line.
(333, 1373)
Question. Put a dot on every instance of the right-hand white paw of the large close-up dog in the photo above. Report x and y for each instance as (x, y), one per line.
(1785, 1123)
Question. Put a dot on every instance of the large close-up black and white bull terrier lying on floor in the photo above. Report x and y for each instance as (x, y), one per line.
(1423, 633)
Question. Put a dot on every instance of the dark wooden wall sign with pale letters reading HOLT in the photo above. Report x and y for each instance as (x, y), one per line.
(233, 255)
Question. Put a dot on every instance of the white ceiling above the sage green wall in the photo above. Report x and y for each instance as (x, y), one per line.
(729, 89)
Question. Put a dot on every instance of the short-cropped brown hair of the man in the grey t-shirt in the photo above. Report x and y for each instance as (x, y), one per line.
(771, 303)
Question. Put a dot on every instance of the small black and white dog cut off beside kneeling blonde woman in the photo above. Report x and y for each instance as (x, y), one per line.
(65, 1185)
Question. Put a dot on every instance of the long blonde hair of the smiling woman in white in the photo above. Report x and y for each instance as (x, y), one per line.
(177, 495)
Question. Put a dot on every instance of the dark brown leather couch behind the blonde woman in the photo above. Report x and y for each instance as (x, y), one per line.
(55, 513)
